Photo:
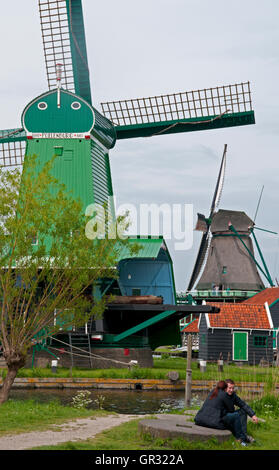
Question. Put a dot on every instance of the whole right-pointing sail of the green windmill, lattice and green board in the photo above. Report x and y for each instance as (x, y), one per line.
(210, 108)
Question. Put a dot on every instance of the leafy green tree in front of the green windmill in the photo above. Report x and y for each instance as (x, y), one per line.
(47, 263)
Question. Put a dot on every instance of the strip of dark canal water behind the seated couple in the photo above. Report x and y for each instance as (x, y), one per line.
(120, 401)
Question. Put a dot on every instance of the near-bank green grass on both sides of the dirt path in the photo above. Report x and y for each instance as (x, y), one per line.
(23, 416)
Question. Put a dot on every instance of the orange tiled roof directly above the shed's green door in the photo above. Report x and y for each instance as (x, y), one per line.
(239, 315)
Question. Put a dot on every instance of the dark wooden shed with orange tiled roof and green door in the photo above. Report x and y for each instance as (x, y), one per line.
(240, 332)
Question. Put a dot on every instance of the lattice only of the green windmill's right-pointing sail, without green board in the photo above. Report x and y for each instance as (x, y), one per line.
(187, 105)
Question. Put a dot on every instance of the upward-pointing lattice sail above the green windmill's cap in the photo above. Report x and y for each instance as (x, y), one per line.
(64, 43)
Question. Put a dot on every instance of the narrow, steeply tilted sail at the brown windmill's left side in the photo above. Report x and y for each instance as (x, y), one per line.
(204, 224)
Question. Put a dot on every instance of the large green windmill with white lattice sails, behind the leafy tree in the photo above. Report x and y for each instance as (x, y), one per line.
(63, 121)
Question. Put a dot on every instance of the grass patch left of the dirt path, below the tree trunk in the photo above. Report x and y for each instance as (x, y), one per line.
(29, 415)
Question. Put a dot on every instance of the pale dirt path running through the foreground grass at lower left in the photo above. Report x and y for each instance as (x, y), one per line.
(79, 429)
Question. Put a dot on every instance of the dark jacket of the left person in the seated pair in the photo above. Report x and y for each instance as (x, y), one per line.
(212, 411)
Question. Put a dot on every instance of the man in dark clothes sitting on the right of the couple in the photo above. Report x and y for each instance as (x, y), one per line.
(236, 421)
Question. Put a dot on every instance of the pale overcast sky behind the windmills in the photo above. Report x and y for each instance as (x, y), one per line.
(152, 47)
